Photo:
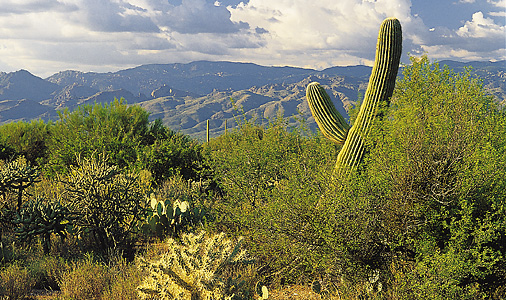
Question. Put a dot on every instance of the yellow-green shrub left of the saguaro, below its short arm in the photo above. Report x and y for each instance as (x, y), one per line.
(271, 180)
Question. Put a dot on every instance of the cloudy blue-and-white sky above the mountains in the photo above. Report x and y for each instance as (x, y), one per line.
(48, 36)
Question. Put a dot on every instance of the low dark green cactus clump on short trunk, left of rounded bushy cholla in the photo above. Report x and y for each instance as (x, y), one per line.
(40, 218)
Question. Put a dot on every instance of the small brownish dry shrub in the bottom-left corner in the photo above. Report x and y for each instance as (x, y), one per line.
(16, 282)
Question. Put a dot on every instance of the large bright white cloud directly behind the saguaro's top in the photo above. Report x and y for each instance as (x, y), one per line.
(322, 32)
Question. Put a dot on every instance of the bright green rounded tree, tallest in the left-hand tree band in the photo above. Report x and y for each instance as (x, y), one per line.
(116, 129)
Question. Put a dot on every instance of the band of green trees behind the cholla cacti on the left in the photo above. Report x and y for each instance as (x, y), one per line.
(116, 129)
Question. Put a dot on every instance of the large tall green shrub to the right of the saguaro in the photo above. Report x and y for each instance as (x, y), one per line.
(437, 177)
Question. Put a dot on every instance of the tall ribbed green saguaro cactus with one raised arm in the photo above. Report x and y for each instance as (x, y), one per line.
(379, 91)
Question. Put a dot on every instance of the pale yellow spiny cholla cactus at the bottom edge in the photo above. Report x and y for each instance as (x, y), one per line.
(192, 269)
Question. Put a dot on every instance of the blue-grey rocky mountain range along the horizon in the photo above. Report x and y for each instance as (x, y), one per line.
(185, 96)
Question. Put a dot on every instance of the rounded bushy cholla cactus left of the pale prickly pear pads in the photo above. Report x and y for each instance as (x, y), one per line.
(107, 202)
